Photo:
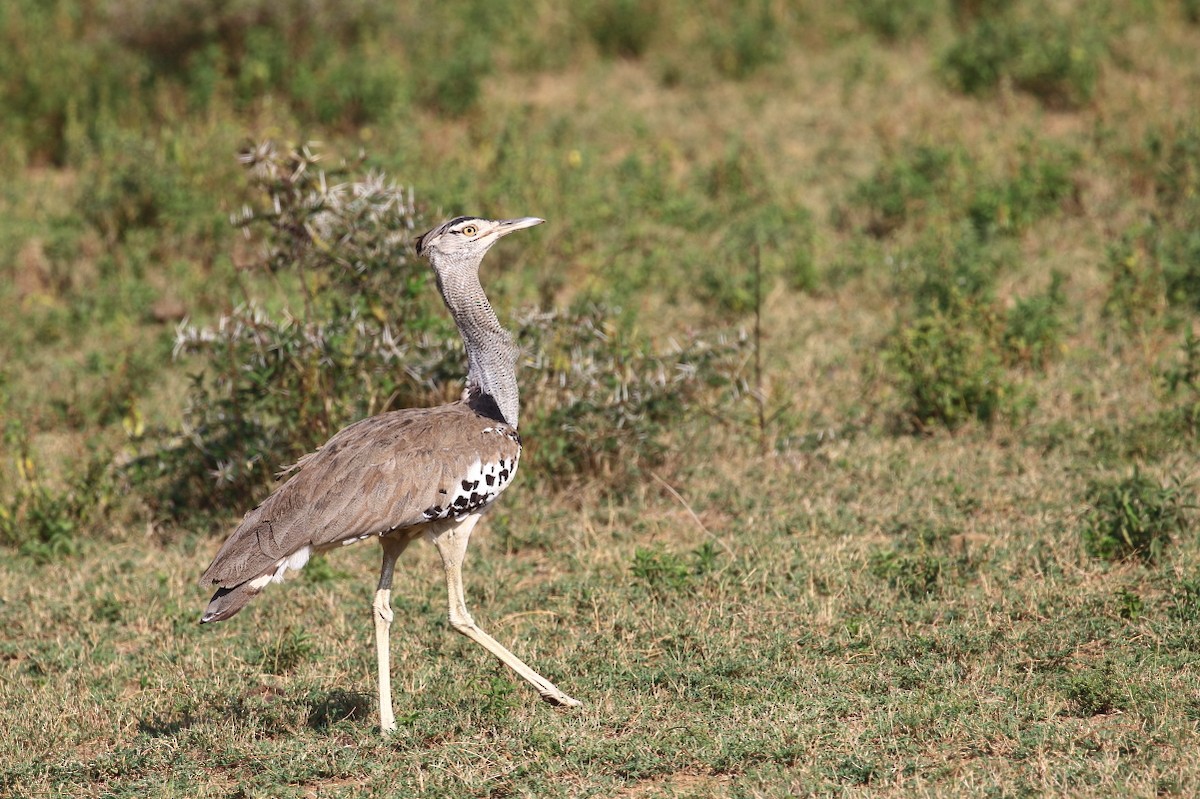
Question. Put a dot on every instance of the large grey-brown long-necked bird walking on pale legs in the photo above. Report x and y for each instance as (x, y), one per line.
(401, 476)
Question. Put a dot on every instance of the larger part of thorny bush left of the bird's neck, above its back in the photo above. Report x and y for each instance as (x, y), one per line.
(271, 388)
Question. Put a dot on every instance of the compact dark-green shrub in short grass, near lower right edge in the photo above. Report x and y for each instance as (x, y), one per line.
(1135, 518)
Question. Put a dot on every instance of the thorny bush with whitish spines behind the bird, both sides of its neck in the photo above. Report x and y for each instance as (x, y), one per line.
(370, 337)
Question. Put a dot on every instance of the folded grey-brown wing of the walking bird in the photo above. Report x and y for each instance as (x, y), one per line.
(379, 474)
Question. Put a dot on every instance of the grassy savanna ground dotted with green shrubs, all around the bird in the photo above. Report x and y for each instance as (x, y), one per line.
(897, 551)
